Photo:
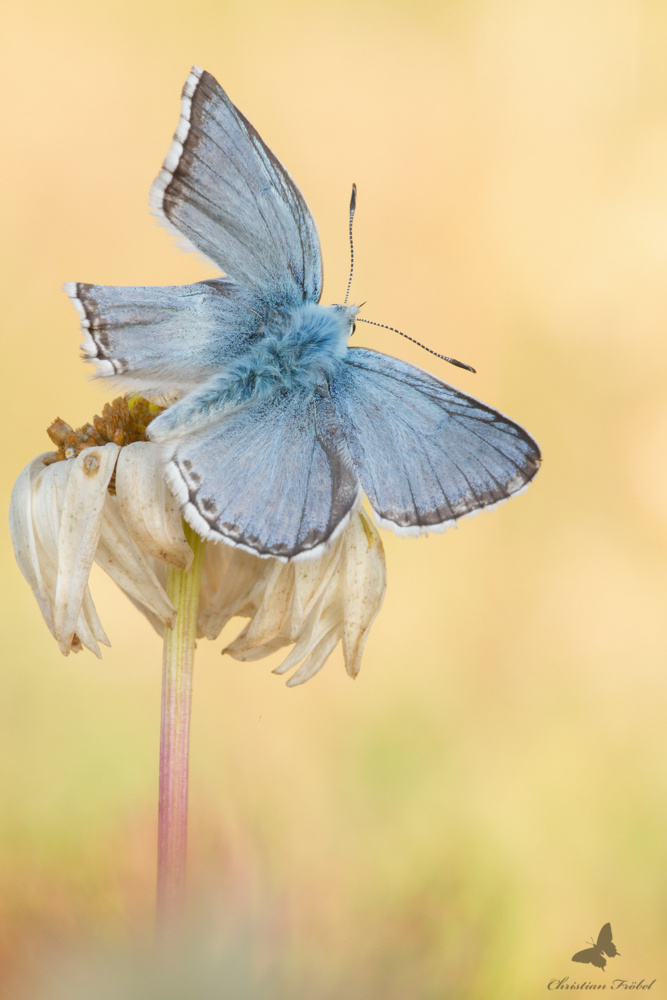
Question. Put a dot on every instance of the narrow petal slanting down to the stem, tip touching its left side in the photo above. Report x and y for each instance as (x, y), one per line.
(118, 556)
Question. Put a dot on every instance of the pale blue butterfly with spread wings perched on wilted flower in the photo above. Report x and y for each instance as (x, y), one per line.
(279, 425)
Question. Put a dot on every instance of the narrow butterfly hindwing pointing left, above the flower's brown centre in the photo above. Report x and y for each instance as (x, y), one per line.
(160, 339)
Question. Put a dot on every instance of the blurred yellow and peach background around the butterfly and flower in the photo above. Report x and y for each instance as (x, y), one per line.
(493, 787)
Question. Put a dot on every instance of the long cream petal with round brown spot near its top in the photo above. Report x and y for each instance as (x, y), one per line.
(80, 527)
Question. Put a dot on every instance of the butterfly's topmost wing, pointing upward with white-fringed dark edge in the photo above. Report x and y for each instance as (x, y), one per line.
(223, 189)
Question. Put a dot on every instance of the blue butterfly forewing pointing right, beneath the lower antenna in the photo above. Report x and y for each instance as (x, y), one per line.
(426, 453)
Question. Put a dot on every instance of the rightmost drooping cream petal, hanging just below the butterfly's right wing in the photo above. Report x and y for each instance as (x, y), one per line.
(365, 582)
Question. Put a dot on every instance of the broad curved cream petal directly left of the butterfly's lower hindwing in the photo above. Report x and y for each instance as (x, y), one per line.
(149, 508)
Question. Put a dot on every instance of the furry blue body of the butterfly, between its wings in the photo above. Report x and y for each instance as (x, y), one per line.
(294, 352)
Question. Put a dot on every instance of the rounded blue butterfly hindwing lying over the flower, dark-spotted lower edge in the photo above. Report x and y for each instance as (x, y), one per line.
(272, 477)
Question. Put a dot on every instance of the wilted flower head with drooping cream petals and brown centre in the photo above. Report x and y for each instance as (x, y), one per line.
(102, 497)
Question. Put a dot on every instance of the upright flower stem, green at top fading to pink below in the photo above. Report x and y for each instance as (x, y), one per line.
(178, 661)
